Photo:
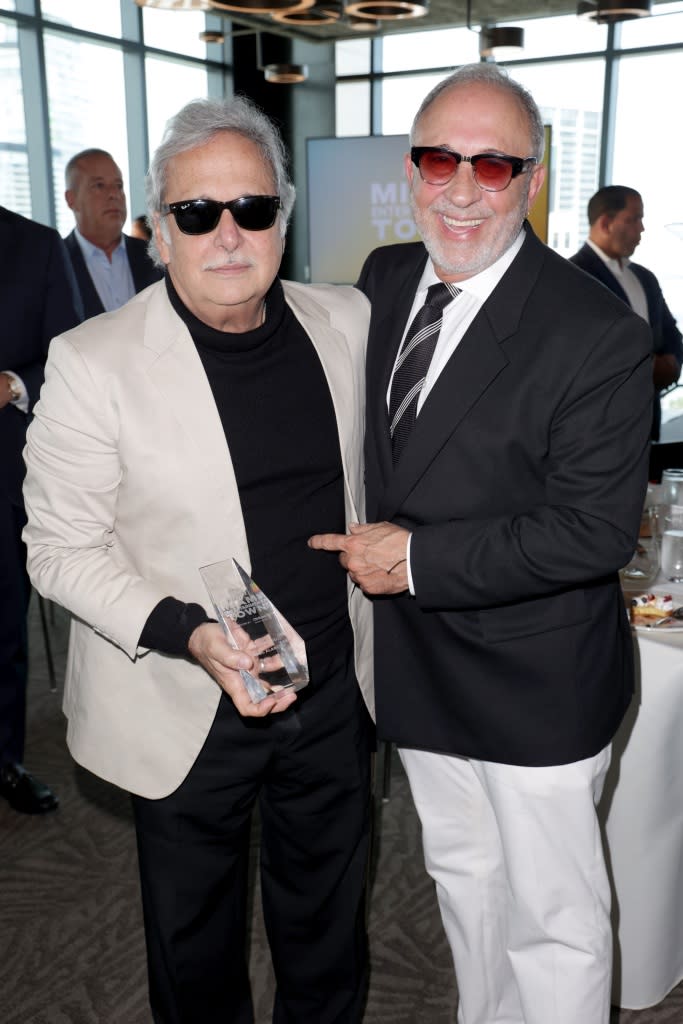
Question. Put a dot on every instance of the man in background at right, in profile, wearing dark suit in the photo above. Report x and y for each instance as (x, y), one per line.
(616, 218)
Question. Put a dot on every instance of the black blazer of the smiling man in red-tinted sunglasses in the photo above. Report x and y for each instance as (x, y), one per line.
(523, 484)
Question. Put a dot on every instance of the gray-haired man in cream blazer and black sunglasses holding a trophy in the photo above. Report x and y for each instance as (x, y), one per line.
(215, 417)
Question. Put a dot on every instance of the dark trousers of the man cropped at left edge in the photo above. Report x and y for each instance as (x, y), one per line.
(15, 593)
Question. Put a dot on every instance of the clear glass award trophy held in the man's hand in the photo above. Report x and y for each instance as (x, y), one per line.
(253, 624)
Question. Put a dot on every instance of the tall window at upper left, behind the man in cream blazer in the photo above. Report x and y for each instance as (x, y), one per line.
(76, 74)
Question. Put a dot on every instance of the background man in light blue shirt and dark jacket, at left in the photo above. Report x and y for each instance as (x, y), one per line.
(110, 267)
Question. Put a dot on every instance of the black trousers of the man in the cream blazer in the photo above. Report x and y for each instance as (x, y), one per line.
(310, 771)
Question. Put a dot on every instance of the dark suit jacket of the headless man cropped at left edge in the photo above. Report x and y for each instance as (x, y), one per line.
(39, 300)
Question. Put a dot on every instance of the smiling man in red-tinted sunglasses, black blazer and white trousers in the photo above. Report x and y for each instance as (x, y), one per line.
(498, 522)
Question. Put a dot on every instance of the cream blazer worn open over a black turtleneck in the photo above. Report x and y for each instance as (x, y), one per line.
(130, 490)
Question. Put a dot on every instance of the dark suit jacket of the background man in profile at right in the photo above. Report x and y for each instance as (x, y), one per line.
(666, 336)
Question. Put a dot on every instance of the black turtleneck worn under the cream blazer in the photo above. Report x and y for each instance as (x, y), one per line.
(276, 408)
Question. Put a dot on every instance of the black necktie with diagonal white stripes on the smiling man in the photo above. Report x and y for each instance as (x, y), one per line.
(413, 364)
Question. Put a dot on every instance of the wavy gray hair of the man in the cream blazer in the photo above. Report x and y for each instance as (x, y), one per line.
(198, 123)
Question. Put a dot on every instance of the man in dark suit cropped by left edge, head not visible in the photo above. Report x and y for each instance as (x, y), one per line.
(39, 301)
